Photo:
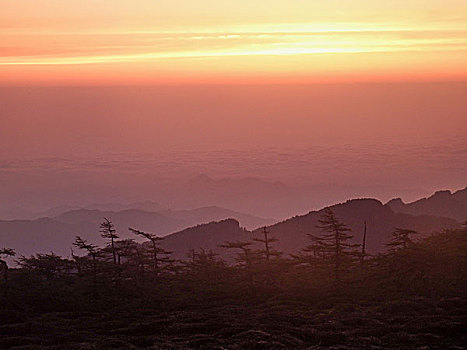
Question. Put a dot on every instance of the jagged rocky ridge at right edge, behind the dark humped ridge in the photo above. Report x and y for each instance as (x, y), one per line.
(442, 203)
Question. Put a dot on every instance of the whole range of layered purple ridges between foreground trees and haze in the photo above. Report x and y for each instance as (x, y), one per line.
(213, 226)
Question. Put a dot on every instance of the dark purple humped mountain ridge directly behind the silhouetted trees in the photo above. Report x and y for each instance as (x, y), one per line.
(292, 233)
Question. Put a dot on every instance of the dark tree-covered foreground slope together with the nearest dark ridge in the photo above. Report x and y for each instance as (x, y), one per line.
(243, 290)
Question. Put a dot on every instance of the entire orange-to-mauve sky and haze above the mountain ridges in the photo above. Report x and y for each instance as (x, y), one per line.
(365, 95)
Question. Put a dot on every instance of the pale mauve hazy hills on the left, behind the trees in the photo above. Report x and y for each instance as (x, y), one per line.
(56, 234)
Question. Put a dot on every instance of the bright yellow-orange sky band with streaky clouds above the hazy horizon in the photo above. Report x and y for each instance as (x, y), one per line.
(125, 42)
